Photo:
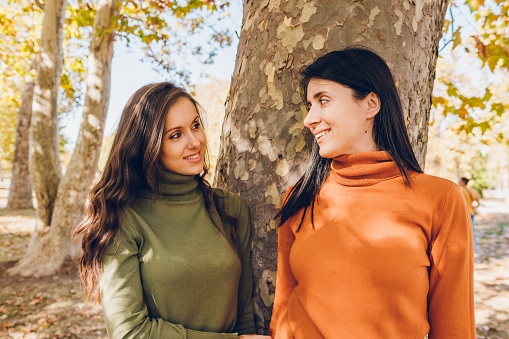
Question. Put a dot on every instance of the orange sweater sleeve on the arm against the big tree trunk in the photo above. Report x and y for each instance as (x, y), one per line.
(285, 281)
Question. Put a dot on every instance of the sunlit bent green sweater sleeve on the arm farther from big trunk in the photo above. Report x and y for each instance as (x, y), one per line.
(124, 310)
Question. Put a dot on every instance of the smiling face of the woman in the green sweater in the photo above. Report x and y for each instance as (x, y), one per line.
(183, 148)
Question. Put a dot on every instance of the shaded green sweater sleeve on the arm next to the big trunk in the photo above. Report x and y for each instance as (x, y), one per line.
(245, 318)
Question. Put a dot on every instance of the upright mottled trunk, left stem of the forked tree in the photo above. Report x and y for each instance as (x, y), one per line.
(45, 167)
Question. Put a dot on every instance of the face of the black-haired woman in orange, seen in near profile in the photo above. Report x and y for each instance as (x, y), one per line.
(340, 123)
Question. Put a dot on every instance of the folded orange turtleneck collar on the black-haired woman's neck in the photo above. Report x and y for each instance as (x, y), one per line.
(363, 169)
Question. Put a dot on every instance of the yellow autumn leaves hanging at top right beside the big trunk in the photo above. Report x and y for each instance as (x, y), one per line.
(479, 110)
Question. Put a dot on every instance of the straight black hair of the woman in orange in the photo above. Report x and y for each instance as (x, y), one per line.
(364, 72)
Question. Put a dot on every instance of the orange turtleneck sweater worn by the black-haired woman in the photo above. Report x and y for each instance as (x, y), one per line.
(383, 260)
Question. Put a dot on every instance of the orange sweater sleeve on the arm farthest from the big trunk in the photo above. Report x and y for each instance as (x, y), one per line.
(451, 290)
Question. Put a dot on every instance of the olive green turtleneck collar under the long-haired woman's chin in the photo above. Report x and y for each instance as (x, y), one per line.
(177, 187)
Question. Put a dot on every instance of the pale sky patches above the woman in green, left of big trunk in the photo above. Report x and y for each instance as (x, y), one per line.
(129, 73)
